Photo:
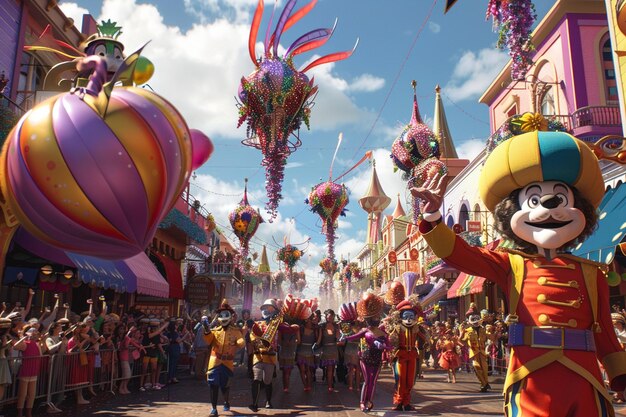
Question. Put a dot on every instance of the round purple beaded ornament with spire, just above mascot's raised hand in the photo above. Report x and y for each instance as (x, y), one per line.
(416, 153)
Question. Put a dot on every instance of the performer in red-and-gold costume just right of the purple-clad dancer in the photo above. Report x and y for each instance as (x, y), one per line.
(403, 335)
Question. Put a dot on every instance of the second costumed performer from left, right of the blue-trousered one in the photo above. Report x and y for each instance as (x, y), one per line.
(264, 338)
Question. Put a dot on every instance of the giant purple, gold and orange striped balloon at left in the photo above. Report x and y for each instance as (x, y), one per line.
(93, 185)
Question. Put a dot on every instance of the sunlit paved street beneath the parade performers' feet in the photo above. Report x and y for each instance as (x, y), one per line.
(432, 396)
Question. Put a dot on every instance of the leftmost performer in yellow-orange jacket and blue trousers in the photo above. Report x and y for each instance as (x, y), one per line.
(225, 340)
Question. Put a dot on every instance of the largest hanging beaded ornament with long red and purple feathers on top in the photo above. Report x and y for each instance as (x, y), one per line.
(277, 98)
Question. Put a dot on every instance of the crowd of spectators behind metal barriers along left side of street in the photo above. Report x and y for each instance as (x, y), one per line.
(62, 355)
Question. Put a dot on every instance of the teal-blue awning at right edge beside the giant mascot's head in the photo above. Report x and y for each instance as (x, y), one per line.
(600, 246)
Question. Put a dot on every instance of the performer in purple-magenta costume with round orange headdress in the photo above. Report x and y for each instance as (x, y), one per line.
(373, 342)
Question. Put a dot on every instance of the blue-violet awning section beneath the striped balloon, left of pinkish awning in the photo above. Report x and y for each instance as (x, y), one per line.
(100, 272)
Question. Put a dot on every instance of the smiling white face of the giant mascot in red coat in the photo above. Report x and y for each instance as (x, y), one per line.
(547, 218)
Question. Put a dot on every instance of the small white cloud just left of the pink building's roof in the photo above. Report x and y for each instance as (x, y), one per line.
(474, 72)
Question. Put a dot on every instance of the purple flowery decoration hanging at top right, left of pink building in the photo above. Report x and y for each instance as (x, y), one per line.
(514, 21)
